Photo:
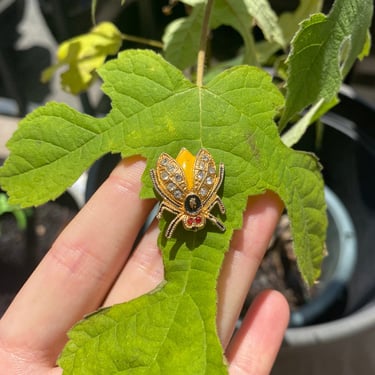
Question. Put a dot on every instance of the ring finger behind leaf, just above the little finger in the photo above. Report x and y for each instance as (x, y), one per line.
(242, 260)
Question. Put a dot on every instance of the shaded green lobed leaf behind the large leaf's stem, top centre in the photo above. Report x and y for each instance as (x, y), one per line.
(181, 37)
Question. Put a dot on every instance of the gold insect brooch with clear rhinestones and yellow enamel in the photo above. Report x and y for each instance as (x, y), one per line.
(188, 186)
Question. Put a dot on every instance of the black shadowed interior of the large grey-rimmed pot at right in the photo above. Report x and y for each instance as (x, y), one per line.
(347, 153)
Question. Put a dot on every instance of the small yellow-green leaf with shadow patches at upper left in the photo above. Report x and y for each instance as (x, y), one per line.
(83, 55)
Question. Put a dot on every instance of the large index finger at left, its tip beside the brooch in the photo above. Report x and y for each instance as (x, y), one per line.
(76, 274)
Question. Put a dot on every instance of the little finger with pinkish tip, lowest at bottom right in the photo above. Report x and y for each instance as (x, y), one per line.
(254, 348)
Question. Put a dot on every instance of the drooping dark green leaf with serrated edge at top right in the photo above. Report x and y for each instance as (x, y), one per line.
(323, 52)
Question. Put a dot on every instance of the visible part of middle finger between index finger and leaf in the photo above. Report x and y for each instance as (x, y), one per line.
(142, 273)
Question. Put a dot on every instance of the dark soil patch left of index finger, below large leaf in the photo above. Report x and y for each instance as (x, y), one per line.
(22, 250)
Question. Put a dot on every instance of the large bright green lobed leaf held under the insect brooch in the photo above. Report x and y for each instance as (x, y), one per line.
(155, 109)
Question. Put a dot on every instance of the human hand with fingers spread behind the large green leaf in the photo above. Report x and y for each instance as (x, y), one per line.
(89, 266)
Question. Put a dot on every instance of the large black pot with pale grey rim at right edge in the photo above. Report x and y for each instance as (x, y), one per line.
(342, 341)
